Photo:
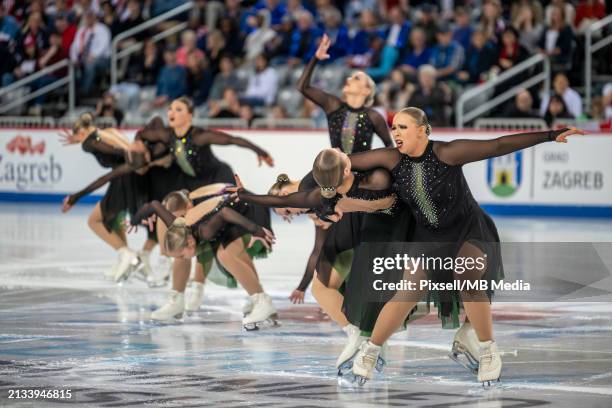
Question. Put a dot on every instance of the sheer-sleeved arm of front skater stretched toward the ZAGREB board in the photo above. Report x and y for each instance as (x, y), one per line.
(464, 151)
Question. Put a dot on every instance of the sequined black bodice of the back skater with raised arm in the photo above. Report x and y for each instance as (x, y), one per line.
(350, 129)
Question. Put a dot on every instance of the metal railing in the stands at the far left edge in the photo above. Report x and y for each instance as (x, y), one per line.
(15, 102)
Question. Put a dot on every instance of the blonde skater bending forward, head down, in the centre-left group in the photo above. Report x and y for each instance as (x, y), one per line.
(211, 223)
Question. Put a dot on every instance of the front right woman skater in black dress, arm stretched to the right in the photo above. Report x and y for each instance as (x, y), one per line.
(429, 178)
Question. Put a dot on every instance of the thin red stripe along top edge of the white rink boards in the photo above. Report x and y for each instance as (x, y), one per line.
(436, 131)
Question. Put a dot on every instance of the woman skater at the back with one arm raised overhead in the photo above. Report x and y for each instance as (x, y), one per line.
(352, 122)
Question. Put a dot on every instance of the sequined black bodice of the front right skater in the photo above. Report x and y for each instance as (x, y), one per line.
(436, 192)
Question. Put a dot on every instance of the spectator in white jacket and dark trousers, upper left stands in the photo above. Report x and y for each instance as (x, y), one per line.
(90, 51)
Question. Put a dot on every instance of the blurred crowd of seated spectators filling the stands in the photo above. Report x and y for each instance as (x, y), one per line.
(239, 59)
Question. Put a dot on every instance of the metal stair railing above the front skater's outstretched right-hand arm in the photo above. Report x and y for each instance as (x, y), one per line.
(487, 88)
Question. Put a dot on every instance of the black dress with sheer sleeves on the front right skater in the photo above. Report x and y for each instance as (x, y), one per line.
(446, 214)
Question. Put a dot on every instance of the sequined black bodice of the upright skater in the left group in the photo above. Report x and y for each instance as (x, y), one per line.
(194, 160)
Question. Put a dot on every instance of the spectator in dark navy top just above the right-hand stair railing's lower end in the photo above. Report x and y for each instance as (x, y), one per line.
(478, 60)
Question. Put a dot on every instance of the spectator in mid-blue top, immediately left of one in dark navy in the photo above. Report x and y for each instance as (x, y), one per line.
(448, 56)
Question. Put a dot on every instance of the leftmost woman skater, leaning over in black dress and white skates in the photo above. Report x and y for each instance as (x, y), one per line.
(124, 194)
